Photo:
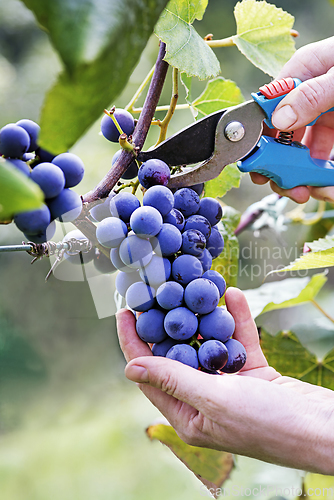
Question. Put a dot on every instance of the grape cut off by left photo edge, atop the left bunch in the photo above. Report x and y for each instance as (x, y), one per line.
(14, 141)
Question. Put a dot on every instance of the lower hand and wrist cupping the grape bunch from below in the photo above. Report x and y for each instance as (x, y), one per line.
(257, 413)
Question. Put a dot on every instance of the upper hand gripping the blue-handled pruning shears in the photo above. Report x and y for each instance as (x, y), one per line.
(314, 65)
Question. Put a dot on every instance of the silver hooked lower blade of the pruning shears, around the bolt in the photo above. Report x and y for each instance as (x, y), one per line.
(251, 116)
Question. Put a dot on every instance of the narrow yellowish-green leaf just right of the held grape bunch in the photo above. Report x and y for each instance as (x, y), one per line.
(227, 264)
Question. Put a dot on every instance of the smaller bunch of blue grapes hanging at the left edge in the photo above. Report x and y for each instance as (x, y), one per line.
(55, 175)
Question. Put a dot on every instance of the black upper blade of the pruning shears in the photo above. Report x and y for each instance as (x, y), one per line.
(192, 144)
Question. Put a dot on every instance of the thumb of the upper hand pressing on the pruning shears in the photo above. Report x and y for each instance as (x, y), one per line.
(305, 103)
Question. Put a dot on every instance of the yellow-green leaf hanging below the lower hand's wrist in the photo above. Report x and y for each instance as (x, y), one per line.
(212, 467)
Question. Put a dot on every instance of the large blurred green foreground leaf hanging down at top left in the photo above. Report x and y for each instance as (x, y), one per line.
(100, 43)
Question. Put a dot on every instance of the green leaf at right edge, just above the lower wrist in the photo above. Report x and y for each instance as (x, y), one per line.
(287, 355)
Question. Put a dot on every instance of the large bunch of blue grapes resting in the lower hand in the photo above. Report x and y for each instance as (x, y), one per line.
(163, 252)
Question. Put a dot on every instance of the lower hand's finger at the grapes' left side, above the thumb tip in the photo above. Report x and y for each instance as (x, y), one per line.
(131, 345)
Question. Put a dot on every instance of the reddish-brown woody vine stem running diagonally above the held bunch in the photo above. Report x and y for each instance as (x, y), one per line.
(104, 187)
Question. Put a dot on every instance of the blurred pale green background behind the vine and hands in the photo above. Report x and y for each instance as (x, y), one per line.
(71, 425)
